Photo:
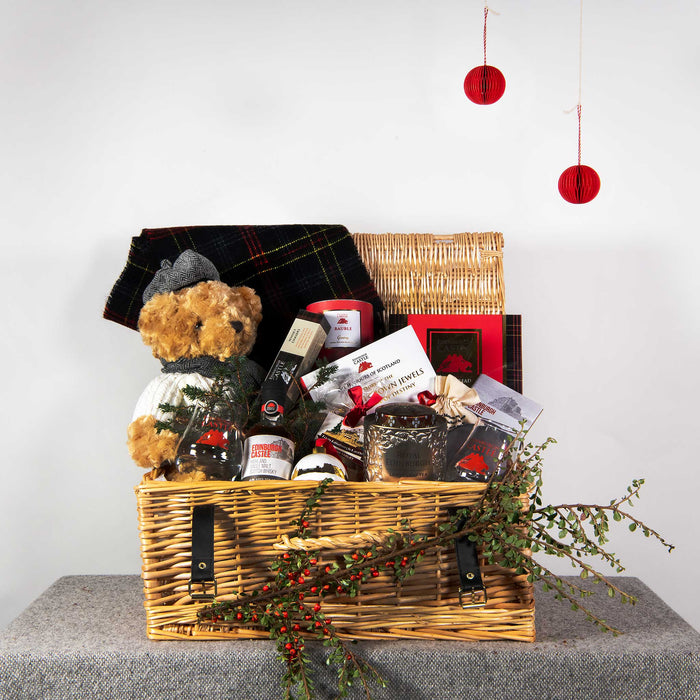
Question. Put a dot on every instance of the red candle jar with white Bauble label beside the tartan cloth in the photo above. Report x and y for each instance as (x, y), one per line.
(352, 325)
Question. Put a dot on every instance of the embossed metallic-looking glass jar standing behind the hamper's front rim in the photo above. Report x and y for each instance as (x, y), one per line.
(404, 441)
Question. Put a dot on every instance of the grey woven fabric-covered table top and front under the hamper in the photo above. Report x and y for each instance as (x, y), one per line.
(85, 638)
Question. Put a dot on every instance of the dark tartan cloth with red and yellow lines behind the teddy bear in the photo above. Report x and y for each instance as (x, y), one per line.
(289, 266)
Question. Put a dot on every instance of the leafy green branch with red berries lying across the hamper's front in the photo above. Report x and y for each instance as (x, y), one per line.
(510, 525)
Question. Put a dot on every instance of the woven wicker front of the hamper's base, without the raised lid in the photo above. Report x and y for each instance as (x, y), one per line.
(252, 516)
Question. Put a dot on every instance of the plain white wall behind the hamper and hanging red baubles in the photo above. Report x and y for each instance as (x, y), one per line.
(122, 115)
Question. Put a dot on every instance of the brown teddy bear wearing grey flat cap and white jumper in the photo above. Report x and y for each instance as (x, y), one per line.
(193, 322)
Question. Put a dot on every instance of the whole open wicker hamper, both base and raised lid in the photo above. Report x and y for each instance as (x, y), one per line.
(413, 273)
